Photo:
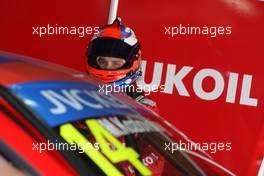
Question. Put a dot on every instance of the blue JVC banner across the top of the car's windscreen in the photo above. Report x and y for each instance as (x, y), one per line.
(58, 102)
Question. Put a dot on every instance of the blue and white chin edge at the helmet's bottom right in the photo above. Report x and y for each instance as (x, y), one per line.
(128, 80)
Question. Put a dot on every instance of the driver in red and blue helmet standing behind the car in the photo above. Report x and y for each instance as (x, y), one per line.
(114, 56)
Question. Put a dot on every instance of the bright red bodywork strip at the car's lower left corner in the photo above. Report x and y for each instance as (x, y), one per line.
(21, 142)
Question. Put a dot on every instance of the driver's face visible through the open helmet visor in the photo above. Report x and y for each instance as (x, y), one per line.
(110, 63)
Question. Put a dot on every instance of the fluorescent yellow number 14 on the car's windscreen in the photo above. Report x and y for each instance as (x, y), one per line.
(102, 136)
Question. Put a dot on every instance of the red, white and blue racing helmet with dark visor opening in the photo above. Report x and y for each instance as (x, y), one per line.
(115, 40)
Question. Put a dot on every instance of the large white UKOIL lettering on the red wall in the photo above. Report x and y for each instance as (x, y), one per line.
(175, 77)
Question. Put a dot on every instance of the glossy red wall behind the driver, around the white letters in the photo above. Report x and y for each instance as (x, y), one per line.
(202, 121)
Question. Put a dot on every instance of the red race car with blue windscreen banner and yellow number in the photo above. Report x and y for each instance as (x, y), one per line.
(55, 120)
